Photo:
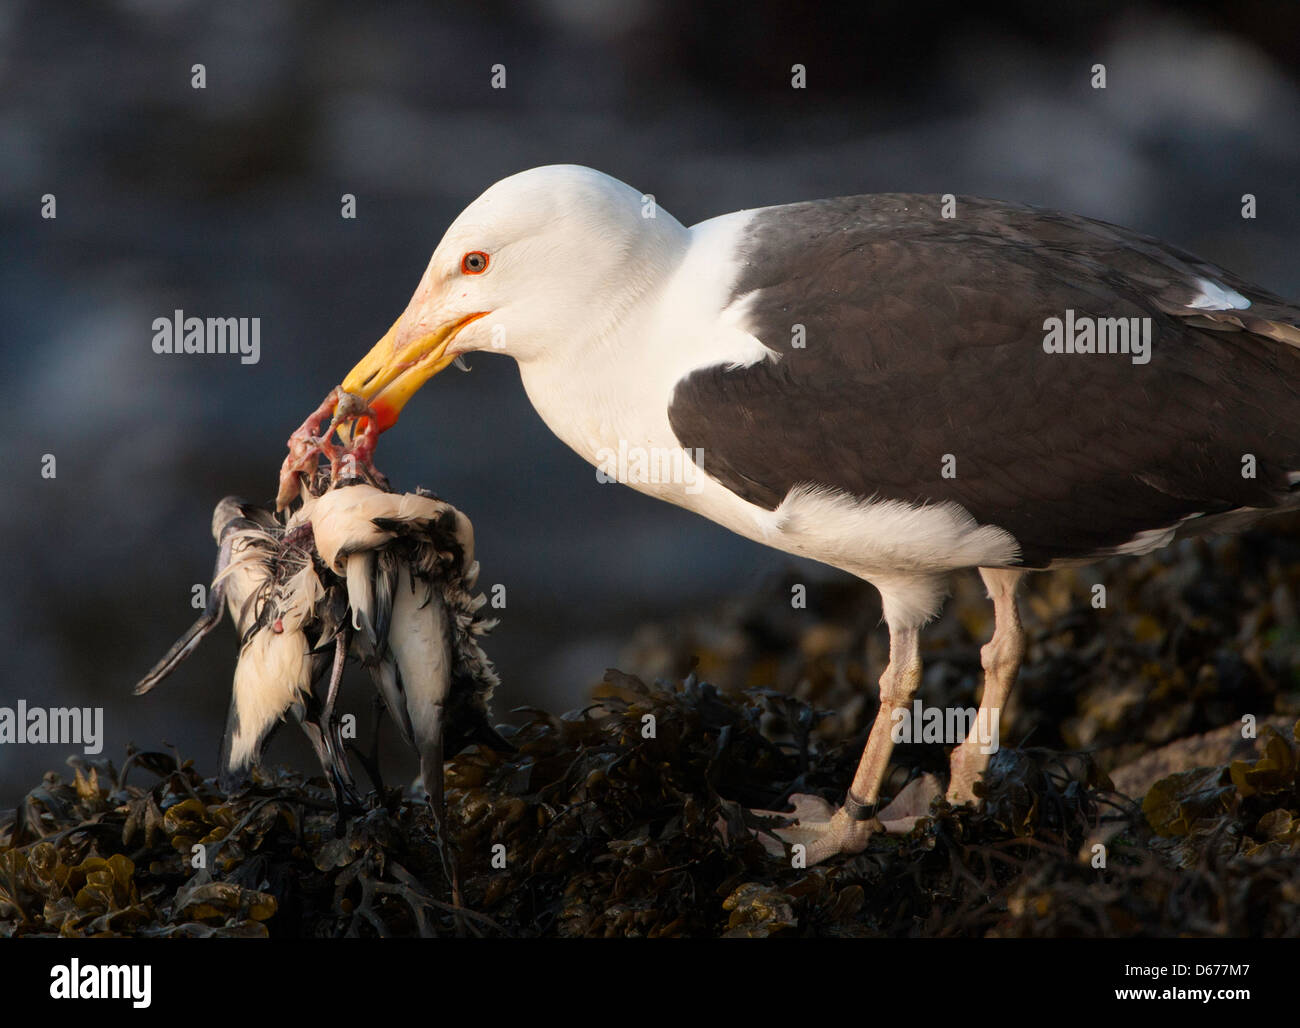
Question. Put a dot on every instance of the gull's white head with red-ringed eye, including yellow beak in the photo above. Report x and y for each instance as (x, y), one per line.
(540, 266)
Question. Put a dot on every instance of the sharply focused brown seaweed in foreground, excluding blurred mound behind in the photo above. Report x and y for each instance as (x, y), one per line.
(630, 818)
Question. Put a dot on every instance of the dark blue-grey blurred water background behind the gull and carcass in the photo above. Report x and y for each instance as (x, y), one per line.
(226, 202)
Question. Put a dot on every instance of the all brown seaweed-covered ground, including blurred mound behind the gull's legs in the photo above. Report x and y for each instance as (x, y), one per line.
(1129, 796)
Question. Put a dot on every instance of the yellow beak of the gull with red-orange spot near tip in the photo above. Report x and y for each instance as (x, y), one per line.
(401, 363)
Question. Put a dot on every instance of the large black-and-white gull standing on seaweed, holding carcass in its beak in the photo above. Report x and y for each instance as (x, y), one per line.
(900, 387)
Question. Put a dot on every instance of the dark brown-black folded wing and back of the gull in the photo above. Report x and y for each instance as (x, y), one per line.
(922, 337)
